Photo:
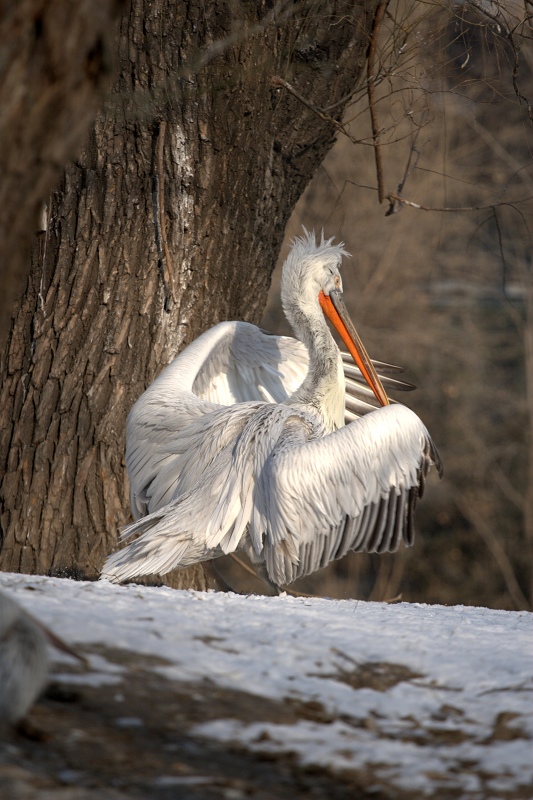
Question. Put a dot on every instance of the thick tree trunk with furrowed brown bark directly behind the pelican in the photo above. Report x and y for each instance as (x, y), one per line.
(169, 221)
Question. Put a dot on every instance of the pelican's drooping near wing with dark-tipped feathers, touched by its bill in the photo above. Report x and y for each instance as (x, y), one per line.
(355, 489)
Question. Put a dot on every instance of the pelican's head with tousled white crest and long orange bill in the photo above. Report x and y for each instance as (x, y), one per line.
(311, 283)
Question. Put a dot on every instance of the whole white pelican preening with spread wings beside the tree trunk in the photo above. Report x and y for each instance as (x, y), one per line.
(241, 443)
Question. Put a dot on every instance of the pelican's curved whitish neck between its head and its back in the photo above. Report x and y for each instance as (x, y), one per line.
(324, 386)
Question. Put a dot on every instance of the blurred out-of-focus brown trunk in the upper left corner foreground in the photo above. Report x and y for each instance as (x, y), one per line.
(55, 65)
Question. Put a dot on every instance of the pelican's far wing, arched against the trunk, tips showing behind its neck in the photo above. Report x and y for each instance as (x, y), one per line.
(173, 430)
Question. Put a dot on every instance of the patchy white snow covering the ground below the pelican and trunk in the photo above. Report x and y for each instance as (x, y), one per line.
(427, 697)
